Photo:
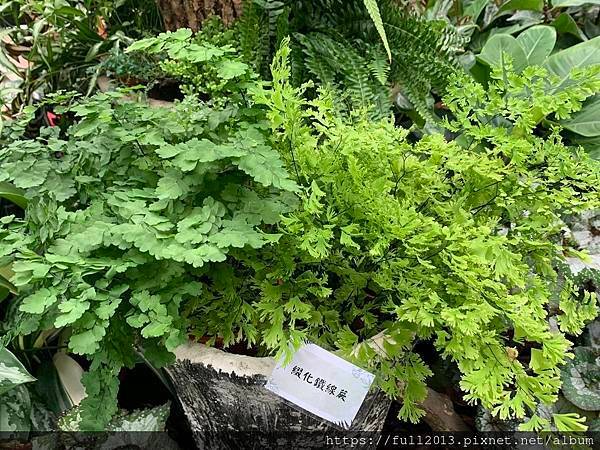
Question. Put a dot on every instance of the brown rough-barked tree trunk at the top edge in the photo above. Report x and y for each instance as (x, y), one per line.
(191, 13)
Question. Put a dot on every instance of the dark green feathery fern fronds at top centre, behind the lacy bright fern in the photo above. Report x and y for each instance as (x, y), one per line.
(423, 52)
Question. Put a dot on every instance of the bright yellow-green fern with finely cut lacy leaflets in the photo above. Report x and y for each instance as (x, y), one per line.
(440, 243)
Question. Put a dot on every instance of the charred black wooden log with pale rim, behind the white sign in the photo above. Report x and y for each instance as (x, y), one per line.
(227, 405)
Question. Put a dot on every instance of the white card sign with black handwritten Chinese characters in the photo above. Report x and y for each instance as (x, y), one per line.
(322, 383)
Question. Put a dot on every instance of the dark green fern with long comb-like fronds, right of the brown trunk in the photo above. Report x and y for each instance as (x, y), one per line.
(421, 58)
